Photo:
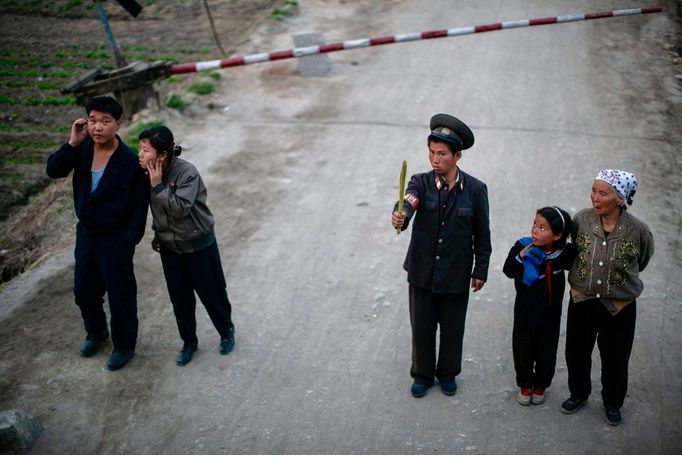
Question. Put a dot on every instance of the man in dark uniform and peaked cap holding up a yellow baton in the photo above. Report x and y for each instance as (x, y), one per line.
(449, 252)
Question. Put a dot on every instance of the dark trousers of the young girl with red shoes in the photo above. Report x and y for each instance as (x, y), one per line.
(535, 346)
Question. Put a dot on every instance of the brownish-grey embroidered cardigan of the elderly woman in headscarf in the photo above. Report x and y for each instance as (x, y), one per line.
(608, 268)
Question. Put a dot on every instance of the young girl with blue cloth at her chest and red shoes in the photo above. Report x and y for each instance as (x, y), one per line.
(537, 265)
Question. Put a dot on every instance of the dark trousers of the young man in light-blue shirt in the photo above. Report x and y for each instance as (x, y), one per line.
(104, 264)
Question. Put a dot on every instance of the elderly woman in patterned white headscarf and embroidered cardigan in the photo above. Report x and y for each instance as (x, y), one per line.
(613, 247)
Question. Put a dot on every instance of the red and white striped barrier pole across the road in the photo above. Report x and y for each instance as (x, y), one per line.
(379, 40)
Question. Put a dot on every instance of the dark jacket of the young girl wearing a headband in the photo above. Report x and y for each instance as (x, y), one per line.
(533, 302)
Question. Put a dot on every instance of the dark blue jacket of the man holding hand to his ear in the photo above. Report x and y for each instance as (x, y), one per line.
(118, 206)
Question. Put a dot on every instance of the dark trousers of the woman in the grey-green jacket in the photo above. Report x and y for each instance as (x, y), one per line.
(200, 271)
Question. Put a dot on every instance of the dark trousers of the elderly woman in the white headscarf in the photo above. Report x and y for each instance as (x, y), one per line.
(589, 321)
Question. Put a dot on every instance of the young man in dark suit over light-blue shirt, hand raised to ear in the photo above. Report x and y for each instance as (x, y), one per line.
(110, 194)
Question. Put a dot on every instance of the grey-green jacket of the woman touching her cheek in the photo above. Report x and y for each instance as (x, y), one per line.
(182, 220)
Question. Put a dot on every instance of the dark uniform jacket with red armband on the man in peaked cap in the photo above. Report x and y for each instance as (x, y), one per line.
(445, 254)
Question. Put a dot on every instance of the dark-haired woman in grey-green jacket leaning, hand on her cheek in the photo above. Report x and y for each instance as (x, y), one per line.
(184, 236)
